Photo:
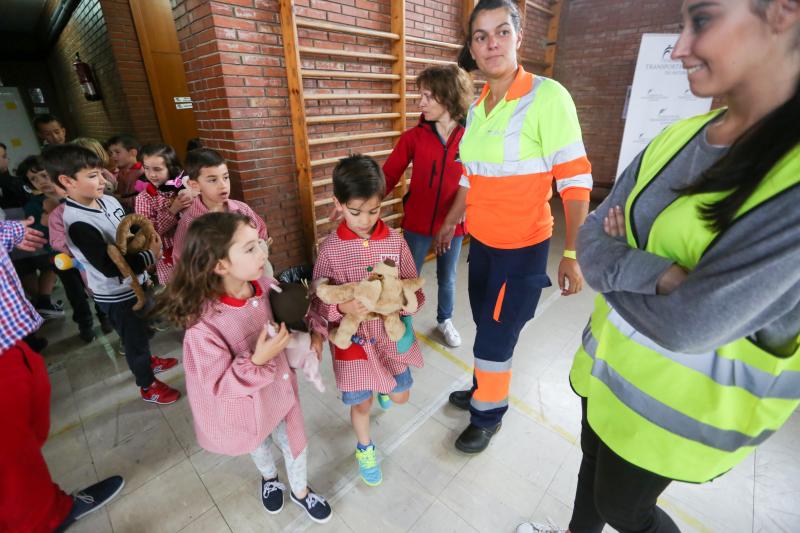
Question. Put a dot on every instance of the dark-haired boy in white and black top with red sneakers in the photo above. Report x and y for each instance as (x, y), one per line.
(91, 221)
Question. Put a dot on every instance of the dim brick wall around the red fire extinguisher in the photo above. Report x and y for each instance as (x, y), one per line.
(105, 38)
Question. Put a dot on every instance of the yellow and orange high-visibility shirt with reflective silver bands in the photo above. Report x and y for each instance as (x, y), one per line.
(512, 156)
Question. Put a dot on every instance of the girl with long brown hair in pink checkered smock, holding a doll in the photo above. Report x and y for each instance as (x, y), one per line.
(242, 392)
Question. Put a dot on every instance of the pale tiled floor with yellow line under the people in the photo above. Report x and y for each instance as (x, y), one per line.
(100, 427)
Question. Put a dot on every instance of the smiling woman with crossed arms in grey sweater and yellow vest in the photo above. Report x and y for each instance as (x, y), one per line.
(691, 358)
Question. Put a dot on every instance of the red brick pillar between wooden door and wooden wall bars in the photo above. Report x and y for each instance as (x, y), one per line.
(236, 77)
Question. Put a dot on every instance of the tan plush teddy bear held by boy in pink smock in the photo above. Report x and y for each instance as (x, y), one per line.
(384, 295)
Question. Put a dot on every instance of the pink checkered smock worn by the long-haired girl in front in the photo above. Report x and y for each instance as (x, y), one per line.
(235, 403)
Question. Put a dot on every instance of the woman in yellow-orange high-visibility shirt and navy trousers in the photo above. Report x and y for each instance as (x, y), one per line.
(522, 134)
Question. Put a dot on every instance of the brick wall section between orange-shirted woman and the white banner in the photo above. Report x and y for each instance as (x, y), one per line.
(597, 47)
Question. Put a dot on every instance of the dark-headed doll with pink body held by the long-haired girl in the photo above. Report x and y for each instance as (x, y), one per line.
(290, 302)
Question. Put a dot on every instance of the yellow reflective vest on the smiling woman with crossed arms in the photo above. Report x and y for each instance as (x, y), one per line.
(688, 417)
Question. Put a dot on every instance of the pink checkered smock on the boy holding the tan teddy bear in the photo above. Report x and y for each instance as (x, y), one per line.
(344, 258)
